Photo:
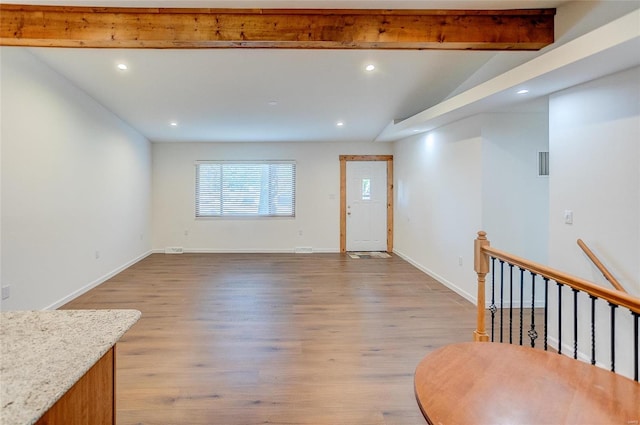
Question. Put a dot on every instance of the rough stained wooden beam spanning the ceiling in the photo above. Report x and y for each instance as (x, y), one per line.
(104, 27)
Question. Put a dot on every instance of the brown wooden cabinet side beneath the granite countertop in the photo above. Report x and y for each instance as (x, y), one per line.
(91, 400)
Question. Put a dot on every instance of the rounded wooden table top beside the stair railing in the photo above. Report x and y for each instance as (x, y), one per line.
(491, 383)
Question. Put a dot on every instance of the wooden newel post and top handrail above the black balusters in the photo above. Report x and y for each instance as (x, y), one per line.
(484, 250)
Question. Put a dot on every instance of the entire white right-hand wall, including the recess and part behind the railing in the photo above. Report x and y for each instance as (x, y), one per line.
(480, 173)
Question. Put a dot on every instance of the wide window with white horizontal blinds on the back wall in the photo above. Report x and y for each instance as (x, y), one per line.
(251, 189)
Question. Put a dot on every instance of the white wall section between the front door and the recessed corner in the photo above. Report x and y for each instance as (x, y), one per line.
(438, 190)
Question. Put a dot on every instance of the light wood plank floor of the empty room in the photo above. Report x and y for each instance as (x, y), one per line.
(276, 338)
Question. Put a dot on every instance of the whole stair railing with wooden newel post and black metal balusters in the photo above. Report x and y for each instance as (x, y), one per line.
(528, 275)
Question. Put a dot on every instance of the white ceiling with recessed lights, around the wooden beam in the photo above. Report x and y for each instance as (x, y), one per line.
(225, 95)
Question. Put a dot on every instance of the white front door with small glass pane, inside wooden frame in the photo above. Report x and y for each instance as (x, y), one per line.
(366, 206)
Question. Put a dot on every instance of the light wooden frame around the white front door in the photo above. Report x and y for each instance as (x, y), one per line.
(343, 196)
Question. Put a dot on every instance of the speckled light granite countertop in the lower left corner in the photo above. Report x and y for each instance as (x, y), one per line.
(44, 353)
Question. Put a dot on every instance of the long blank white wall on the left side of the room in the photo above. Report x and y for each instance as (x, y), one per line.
(75, 181)
